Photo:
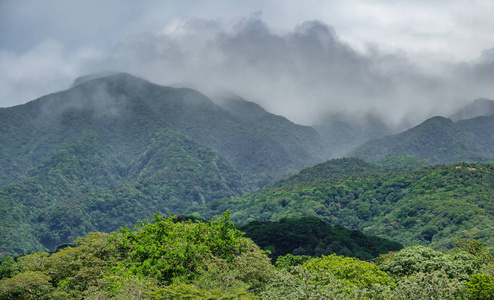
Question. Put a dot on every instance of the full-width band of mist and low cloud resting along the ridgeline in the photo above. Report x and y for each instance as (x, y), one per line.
(306, 73)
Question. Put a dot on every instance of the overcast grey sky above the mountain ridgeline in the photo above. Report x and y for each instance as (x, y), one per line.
(301, 59)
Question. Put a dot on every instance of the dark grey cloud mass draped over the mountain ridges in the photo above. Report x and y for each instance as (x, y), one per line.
(302, 74)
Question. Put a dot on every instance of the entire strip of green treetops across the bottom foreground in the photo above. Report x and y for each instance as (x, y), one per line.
(183, 258)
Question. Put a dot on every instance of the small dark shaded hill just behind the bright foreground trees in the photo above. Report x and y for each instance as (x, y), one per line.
(314, 237)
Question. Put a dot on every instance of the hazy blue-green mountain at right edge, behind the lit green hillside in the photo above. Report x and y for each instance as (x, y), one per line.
(436, 141)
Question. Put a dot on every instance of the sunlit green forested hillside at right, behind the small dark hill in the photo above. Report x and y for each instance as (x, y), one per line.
(431, 206)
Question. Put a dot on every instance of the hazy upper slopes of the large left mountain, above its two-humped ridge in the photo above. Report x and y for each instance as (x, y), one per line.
(126, 112)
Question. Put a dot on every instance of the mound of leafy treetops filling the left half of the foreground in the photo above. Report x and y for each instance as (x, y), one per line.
(169, 256)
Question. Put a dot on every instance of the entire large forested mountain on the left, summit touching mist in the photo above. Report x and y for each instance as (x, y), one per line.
(114, 149)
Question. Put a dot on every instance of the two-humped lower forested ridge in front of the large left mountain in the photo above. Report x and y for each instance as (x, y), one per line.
(84, 187)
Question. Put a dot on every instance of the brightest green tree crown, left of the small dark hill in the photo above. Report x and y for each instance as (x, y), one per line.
(166, 249)
